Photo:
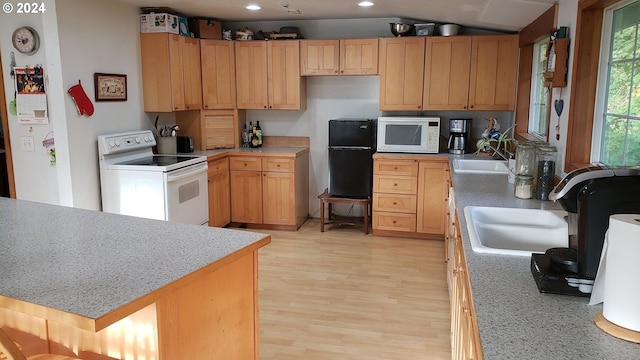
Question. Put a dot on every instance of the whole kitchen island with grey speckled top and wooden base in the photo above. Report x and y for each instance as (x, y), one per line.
(103, 286)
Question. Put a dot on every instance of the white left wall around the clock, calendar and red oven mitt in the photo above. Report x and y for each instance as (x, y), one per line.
(79, 38)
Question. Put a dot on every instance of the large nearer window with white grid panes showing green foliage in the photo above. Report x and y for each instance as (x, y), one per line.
(616, 135)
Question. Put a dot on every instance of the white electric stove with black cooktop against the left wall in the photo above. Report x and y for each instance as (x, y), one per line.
(135, 181)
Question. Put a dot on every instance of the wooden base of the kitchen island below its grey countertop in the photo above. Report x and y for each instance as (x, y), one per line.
(209, 314)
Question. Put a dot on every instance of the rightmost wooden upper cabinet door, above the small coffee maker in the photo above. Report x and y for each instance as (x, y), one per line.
(494, 60)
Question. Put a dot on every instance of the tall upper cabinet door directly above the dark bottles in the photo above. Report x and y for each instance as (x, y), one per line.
(251, 74)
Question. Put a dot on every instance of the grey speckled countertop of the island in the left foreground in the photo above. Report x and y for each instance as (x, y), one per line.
(89, 263)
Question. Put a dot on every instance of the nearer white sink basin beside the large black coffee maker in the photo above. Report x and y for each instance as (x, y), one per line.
(515, 231)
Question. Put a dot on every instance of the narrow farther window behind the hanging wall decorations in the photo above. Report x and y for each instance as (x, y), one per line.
(539, 108)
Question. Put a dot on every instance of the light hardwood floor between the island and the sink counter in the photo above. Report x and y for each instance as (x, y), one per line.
(343, 295)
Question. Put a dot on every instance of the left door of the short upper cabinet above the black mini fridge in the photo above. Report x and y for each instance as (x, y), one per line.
(319, 57)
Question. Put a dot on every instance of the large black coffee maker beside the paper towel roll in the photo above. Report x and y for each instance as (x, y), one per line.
(589, 195)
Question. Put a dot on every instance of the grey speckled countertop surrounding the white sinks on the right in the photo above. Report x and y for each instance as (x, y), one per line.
(515, 320)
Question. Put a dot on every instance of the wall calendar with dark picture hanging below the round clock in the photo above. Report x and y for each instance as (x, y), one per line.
(31, 97)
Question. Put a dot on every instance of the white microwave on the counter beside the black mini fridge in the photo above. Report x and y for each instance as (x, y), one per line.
(408, 134)
